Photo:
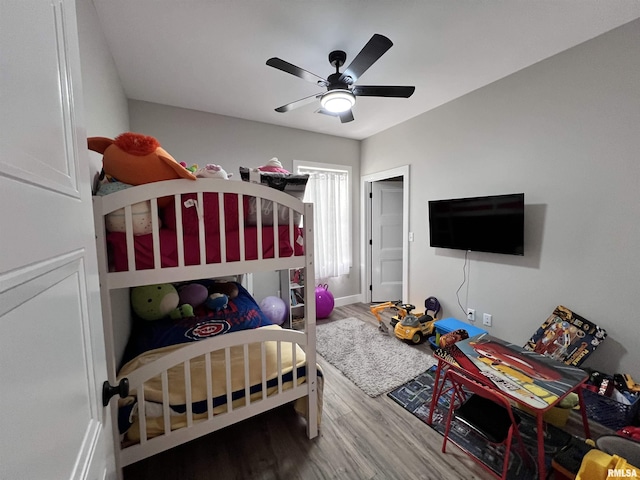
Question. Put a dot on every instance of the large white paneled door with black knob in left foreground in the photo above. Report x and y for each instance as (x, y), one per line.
(52, 360)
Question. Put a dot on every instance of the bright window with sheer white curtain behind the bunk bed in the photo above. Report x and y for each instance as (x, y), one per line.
(329, 189)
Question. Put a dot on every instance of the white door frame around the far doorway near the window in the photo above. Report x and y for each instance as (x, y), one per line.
(365, 228)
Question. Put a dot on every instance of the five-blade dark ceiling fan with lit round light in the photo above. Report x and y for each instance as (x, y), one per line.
(341, 89)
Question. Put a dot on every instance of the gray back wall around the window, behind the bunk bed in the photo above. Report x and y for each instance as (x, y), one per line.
(197, 137)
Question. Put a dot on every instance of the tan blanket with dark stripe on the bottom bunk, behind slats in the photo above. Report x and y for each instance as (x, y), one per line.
(129, 421)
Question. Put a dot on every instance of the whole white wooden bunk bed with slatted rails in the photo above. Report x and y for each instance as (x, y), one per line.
(284, 366)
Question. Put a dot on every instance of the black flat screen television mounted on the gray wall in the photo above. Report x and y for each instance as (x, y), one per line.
(483, 224)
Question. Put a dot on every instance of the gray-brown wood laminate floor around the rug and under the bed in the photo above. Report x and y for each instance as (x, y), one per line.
(360, 438)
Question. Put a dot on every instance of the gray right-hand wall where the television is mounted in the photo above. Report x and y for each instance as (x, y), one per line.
(565, 131)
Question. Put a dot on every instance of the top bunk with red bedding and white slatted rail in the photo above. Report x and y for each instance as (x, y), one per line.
(179, 223)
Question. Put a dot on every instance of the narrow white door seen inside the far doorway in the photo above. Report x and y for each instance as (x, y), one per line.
(386, 240)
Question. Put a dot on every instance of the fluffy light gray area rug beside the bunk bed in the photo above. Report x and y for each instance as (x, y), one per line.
(376, 362)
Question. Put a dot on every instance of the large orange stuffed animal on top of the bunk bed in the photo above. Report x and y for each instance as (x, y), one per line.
(137, 159)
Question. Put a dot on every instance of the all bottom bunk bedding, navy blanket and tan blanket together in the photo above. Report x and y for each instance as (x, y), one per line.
(269, 365)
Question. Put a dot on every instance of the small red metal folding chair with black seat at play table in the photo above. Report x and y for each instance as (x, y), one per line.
(484, 410)
